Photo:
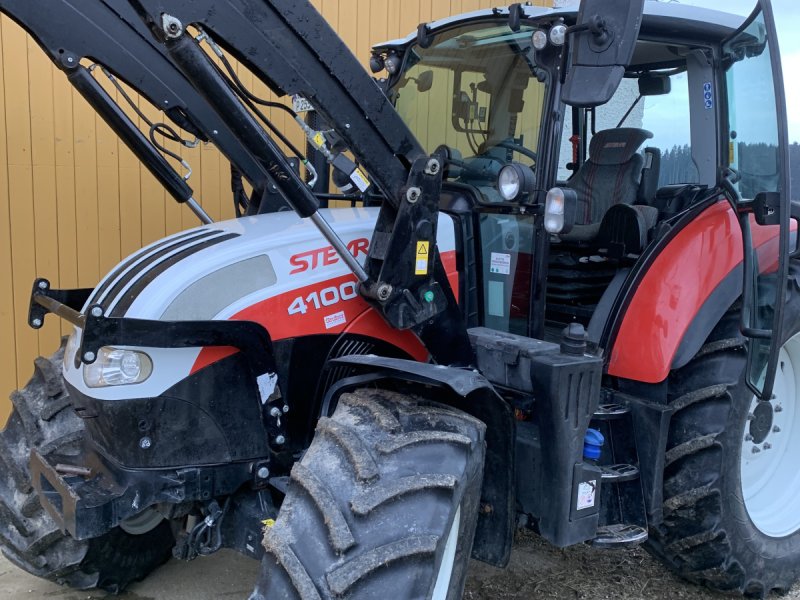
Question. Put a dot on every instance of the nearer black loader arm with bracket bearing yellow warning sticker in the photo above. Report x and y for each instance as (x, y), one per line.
(292, 49)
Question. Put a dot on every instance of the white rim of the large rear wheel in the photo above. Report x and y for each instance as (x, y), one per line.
(770, 478)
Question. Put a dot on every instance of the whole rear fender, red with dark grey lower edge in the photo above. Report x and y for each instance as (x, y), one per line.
(670, 308)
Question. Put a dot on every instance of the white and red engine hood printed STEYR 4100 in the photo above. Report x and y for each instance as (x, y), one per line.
(274, 269)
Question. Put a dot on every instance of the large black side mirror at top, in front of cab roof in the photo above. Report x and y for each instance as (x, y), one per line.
(603, 43)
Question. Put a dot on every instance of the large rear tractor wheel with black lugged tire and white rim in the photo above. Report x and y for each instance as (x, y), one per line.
(732, 512)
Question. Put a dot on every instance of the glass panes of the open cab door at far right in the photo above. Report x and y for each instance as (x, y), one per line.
(754, 154)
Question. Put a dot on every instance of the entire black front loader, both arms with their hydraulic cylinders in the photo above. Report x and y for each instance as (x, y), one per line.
(291, 48)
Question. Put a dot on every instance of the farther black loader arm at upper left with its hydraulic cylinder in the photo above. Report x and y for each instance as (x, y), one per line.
(109, 33)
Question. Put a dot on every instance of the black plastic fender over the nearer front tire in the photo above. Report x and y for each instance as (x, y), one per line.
(469, 391)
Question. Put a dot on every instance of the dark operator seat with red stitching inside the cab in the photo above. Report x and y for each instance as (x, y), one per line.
(611, 175)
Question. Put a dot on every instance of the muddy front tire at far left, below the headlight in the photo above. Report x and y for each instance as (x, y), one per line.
(43, 419)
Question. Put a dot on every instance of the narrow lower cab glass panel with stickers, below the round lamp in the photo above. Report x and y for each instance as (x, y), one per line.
(507, 242)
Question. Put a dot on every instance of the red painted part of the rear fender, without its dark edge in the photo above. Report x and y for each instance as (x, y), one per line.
(675, 287)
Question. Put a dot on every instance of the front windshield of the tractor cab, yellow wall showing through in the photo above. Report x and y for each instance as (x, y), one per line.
(475, 90)
